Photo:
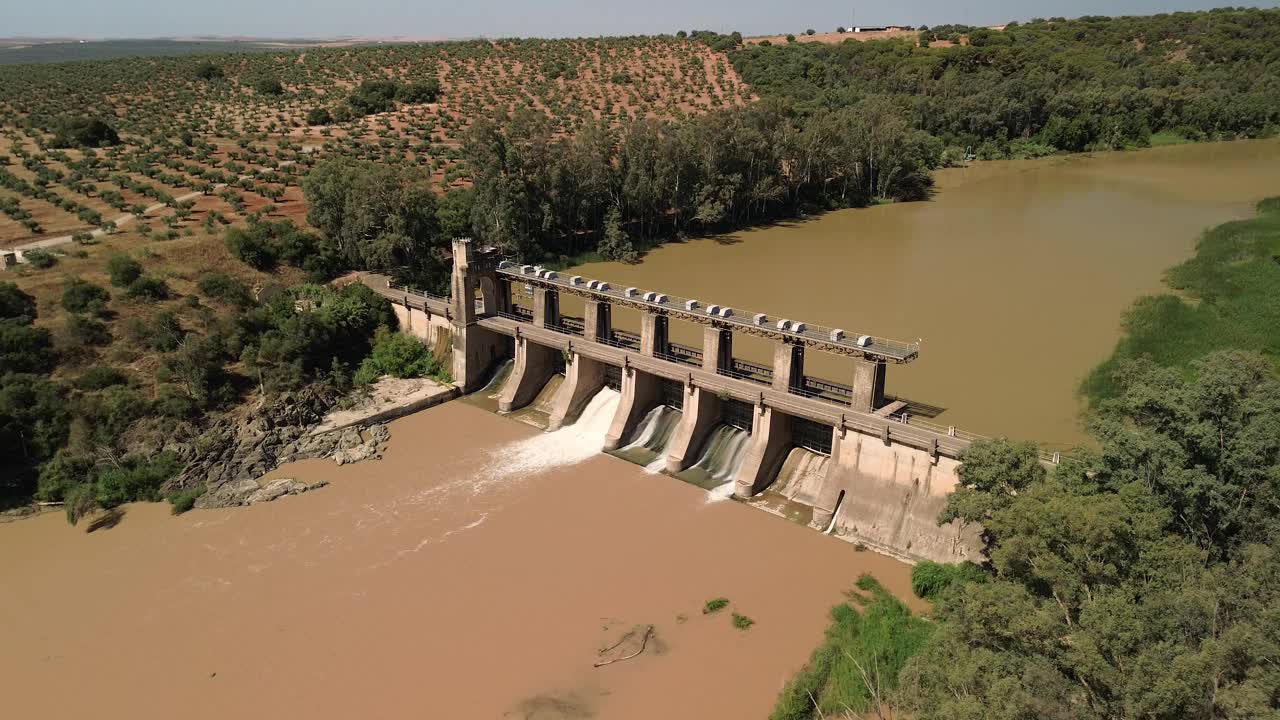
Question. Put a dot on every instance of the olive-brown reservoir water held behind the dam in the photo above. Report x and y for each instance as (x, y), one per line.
(1016, 275)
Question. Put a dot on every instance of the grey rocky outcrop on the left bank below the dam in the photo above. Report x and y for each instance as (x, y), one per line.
(241, 448)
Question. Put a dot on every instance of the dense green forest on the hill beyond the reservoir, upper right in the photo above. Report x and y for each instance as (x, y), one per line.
(1046, 86)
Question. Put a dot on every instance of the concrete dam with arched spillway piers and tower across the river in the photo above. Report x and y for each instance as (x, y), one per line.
(843, 458)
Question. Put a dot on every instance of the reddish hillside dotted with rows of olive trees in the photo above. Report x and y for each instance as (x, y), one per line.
(190, 126)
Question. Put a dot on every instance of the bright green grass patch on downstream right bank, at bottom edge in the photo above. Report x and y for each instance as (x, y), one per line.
(870, 641)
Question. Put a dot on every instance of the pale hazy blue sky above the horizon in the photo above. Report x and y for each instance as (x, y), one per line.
(529, 19)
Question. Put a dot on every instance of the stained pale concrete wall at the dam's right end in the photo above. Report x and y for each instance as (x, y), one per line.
(893, 499)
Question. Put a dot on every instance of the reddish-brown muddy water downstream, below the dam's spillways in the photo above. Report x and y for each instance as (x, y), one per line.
(432, 584)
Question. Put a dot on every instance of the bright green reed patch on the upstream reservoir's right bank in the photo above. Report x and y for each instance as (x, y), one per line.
(1229, 298)
